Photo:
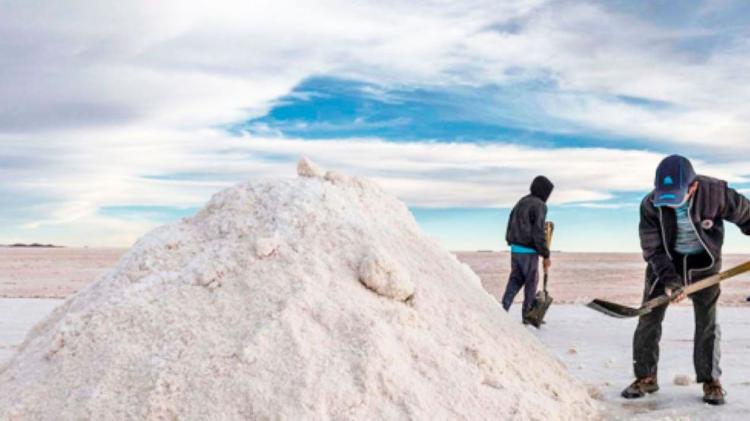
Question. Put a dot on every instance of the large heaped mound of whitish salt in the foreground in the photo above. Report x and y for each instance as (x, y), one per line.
(309, 298)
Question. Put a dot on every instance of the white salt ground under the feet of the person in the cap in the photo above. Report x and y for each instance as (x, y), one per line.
(597, 350)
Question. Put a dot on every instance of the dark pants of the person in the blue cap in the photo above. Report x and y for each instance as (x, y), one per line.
(706, 349)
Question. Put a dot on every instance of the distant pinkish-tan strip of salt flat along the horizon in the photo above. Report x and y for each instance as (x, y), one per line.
(575, 277)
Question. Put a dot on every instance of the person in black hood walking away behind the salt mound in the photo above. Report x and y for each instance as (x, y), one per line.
(527, 240)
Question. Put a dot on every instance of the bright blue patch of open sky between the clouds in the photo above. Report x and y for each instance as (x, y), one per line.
(331, 108)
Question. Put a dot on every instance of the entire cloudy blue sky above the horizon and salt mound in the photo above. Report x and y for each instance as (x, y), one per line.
(114, 121)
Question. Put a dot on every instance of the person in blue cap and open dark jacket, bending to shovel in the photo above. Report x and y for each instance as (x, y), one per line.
(682, 231)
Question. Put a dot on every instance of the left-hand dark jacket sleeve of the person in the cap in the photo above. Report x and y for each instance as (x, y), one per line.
(652, 245)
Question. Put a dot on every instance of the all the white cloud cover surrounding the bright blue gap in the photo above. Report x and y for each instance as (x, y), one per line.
(95, 98)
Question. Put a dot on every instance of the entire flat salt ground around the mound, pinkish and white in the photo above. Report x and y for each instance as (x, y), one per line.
(595, 348)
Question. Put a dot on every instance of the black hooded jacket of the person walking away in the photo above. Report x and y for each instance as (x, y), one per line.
(526, 222)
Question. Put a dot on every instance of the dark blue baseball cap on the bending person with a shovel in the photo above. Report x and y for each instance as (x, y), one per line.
(673, 178)
